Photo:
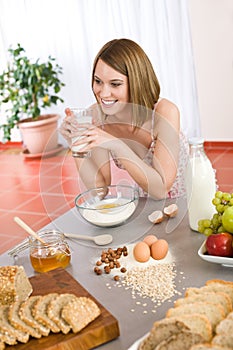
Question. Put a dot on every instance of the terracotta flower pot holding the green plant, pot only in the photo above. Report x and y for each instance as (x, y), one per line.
(40, 135)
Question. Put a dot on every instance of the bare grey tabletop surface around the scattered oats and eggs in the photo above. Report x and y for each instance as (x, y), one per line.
(191, 270)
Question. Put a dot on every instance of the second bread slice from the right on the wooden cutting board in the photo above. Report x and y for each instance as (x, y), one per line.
(54, 310)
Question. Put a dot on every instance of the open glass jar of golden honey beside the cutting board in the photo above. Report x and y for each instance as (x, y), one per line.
(52, 254)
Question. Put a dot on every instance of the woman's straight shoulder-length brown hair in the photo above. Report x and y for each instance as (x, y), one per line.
(129, 59)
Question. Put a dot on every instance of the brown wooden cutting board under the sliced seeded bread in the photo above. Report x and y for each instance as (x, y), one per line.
(101, 330)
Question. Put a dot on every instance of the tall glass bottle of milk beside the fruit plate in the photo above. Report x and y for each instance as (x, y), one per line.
(200, 184)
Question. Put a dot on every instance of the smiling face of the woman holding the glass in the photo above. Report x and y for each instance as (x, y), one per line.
(110, 88)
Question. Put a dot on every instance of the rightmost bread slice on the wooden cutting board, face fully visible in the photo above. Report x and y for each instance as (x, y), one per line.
(80, 312)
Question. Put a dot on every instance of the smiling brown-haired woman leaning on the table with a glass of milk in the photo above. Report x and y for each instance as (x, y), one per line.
(137, 129)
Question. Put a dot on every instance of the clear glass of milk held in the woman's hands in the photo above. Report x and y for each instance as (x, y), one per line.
(82, 116)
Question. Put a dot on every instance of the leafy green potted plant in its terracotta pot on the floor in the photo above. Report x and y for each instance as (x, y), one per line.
(26, 87)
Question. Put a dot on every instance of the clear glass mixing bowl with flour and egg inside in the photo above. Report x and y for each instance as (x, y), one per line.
(108, 206)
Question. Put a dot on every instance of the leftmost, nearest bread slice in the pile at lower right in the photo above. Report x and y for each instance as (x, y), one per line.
(162, 330)
